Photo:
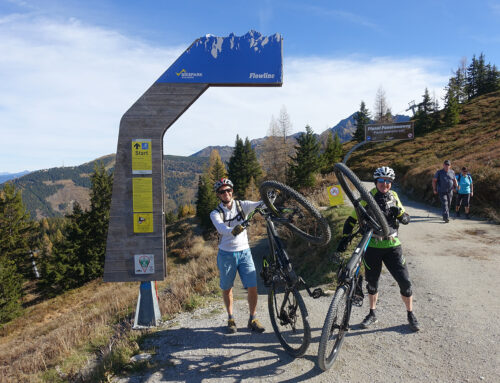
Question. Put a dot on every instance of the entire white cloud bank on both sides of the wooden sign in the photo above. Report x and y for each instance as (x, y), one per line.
(65, 85)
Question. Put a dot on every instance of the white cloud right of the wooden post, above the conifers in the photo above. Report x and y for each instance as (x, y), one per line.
(316, 92)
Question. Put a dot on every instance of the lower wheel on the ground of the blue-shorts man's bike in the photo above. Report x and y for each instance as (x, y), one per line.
(289, 318)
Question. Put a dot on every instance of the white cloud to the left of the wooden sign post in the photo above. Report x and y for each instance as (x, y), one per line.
(64, 87)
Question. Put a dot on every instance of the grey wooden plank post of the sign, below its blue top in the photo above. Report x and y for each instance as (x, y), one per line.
(148, 118)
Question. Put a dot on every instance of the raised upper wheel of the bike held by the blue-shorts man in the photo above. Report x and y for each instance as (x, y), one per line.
(298, 214)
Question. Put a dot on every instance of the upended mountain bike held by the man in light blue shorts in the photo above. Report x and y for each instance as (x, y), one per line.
(288, 313)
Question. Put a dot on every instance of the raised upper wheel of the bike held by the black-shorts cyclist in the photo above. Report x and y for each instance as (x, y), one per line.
(355, 191)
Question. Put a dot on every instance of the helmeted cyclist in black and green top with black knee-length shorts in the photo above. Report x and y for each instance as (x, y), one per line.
(384, 249)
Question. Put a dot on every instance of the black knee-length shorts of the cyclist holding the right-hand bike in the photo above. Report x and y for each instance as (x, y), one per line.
(394, 261)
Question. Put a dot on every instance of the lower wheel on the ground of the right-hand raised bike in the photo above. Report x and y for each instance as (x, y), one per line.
(335, 326)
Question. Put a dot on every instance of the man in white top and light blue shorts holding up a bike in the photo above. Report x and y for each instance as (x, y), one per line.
(234, 251)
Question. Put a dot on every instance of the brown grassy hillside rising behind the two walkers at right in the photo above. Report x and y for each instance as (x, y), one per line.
(474, 142)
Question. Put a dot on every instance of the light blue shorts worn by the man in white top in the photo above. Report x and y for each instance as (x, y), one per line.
(230, 261)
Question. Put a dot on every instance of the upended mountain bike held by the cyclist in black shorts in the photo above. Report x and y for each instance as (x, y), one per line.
(349, 291)
